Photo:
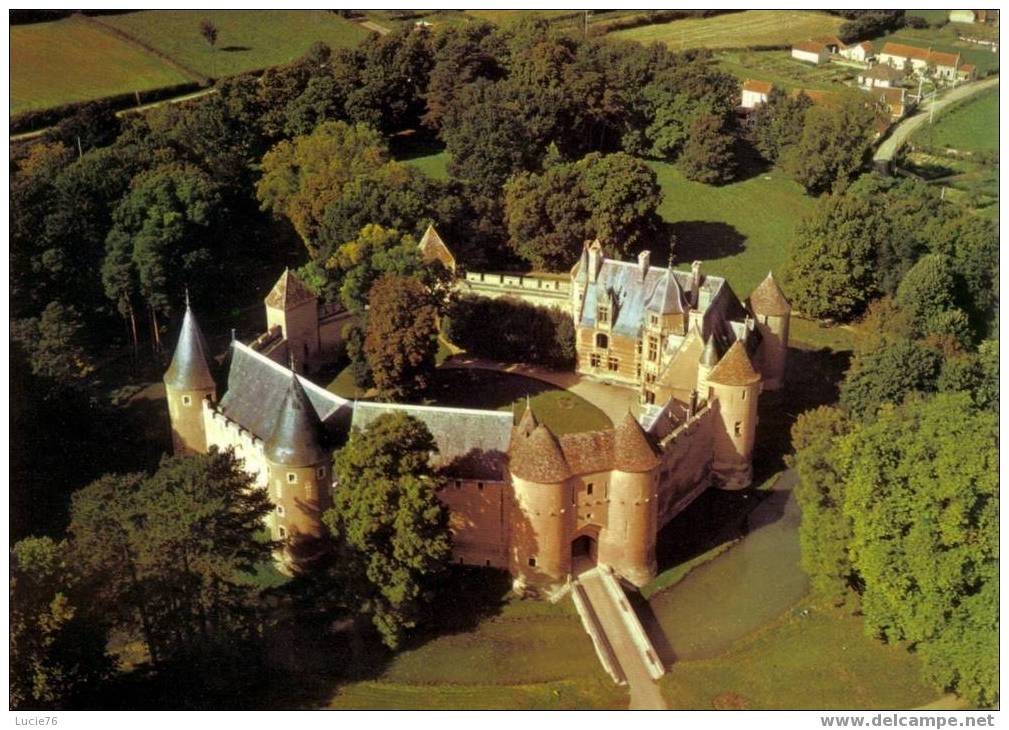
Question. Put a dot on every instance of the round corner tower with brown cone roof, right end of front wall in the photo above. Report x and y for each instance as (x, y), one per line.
(735, 387)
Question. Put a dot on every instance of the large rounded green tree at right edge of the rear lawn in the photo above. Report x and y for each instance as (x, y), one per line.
(831, 270)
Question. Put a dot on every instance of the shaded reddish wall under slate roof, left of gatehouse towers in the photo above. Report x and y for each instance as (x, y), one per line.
(479, 518)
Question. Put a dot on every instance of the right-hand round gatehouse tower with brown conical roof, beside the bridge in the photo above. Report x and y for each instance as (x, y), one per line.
(628, 544)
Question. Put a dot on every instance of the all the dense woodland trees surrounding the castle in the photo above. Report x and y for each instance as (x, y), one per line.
(114, 219)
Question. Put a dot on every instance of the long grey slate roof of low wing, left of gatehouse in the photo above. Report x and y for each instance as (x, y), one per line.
(472, 444)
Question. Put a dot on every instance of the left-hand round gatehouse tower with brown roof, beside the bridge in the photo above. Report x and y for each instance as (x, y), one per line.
(540, 518)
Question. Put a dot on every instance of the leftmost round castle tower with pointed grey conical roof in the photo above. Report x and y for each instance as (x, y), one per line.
(187, 383)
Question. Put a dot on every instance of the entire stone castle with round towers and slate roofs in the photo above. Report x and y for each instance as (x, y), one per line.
(520, 497)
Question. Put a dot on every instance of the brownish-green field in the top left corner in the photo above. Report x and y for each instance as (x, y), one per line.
(72, 60)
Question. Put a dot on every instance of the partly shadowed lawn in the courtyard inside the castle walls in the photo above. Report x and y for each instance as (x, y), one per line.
(563, 411)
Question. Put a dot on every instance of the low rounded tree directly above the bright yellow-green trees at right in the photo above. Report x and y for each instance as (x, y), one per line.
(888, 375)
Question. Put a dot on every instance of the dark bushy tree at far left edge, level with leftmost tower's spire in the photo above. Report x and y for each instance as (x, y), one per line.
(55, 344)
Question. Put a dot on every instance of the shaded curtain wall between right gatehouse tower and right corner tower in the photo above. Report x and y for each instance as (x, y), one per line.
(687, 466)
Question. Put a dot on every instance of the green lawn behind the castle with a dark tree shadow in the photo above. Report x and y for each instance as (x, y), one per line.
(741, 231)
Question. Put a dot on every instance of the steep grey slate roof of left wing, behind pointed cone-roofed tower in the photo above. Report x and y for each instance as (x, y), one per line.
(258, 389)
